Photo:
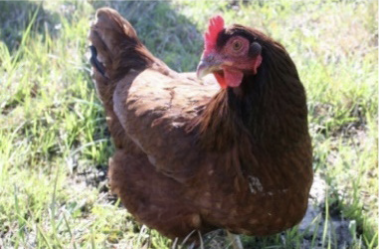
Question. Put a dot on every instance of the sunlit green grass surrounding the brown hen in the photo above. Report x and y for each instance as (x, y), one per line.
(54, 143)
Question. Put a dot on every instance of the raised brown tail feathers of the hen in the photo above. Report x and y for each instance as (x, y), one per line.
(115, 46)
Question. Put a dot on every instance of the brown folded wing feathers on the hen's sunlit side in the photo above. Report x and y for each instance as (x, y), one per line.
(154, 110)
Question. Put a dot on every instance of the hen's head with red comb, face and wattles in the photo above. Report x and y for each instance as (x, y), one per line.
(229, 53)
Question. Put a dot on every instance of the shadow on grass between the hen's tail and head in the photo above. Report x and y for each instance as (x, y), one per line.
(167, 34)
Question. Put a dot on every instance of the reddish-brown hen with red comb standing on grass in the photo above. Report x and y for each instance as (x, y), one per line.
(230, 151)
